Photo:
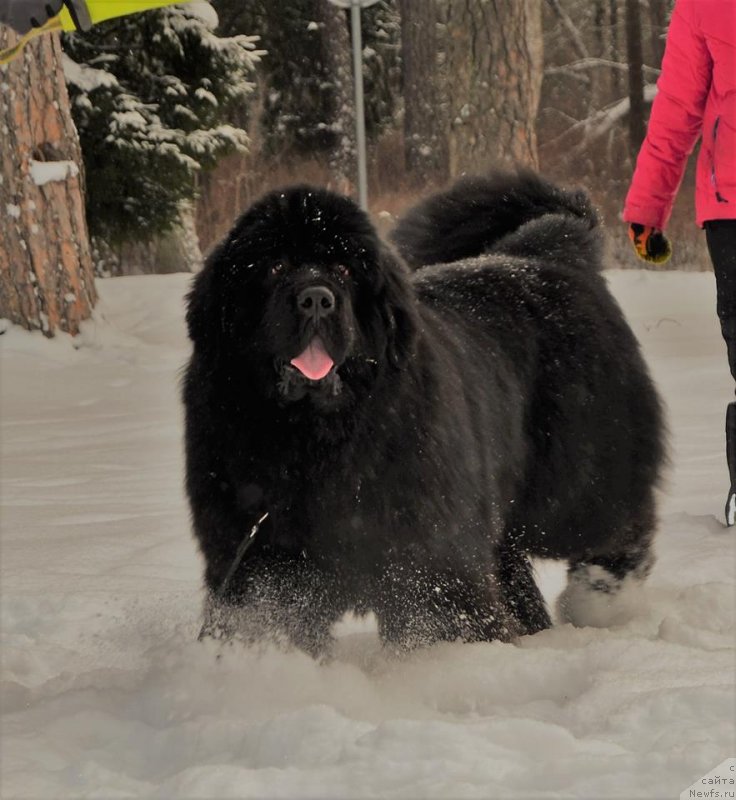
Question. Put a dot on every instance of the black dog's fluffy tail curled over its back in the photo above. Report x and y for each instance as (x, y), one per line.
(517, 214)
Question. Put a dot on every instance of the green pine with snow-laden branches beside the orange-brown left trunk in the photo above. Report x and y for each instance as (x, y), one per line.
(152, 97)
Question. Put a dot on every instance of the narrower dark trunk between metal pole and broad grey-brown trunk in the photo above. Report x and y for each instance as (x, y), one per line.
(425, 128)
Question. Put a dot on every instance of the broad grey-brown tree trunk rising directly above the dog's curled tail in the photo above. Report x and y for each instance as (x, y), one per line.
(494, 60)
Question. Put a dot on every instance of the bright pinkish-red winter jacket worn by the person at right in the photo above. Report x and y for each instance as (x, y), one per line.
(697, 95)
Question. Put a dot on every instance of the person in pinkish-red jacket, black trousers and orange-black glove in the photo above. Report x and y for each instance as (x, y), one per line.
(696, 97)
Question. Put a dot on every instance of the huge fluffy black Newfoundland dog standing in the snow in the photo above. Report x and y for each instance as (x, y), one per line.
(474, 413)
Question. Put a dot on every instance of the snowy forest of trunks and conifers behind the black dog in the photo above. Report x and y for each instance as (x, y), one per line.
(132, 148)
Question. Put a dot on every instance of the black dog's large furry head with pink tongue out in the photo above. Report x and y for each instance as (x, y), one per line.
(301, 298)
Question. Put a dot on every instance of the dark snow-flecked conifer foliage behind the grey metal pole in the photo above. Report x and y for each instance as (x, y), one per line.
(304, 86)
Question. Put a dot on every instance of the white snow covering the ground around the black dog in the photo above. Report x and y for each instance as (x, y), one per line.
(106, 694)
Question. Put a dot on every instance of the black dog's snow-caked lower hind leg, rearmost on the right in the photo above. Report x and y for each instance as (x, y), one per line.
(606, 588)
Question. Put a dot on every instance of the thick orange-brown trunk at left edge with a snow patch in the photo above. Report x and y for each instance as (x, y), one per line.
(46, 277)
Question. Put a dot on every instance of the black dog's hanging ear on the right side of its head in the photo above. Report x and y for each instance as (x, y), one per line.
(399, 310)
